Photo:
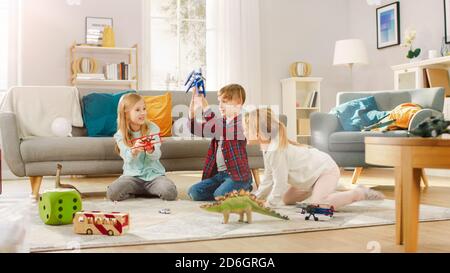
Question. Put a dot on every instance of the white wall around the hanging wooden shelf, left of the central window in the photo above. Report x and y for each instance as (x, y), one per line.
(49, 28)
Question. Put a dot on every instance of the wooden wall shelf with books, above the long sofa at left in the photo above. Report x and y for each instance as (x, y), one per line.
(105, 56)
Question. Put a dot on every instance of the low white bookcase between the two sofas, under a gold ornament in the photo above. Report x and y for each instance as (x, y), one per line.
(298, 102)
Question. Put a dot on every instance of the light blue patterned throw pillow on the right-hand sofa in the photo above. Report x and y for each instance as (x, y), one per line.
(356, 114)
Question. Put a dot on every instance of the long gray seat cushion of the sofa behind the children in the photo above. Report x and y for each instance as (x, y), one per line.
(36, 149)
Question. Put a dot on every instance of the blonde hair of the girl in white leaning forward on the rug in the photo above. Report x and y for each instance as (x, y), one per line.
(262, 123)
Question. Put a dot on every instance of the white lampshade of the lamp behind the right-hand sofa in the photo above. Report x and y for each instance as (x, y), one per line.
(351, 51)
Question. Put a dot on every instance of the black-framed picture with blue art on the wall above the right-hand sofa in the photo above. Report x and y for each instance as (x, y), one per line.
(388, 25)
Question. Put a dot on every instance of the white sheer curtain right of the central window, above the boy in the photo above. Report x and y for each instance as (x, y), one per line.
(233, 46)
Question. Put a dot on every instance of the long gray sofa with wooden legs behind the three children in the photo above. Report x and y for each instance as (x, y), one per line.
(35, 157)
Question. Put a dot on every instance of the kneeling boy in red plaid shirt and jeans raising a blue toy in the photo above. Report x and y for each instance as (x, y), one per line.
(226, 167)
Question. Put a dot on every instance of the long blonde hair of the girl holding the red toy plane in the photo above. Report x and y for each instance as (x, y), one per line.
(126, 103)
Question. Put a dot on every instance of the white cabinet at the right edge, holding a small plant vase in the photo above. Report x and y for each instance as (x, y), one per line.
(412, 76)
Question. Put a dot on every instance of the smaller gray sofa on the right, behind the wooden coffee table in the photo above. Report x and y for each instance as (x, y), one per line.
(347, 148)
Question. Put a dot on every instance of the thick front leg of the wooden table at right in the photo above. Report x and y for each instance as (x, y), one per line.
(410, 207)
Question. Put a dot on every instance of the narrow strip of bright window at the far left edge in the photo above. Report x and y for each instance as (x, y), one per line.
(4, 24)
